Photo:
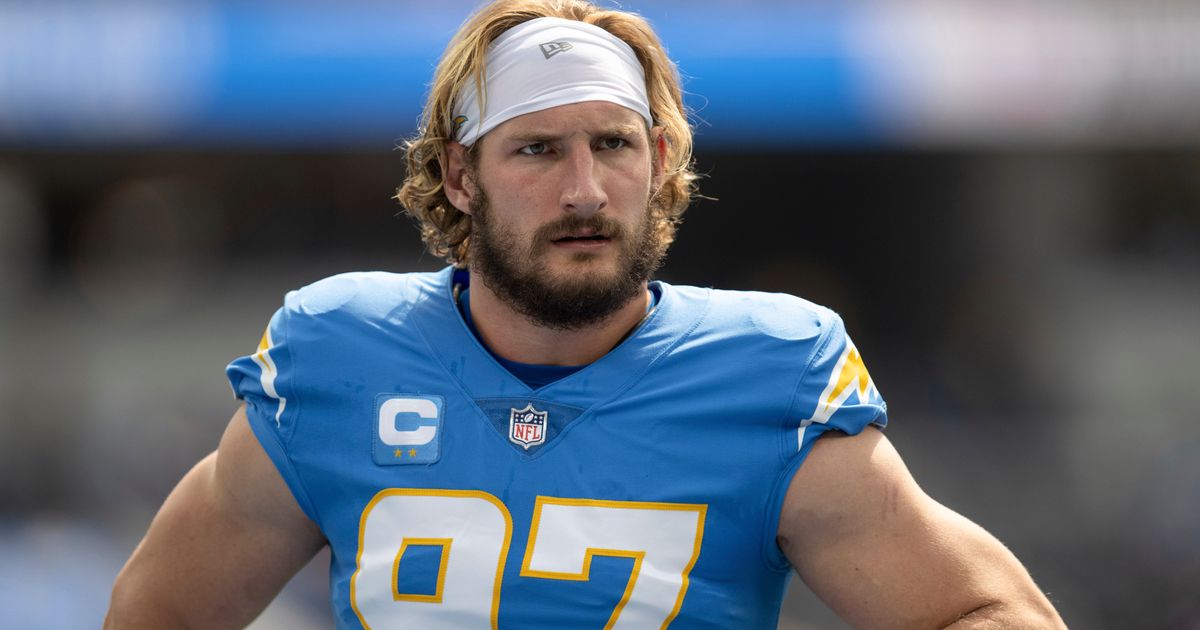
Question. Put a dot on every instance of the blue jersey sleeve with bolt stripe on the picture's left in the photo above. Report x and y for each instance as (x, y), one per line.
(266, 382)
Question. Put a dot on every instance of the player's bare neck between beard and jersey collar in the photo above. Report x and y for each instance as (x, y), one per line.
(513, 337)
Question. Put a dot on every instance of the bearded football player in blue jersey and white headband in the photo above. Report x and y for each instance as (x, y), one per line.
(539, 436)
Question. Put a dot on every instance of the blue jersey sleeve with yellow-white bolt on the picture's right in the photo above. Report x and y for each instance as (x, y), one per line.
(836, 392)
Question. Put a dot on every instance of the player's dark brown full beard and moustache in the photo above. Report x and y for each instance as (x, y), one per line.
(569, 299)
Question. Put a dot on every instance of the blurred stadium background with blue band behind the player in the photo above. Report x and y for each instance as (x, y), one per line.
(1001, 199)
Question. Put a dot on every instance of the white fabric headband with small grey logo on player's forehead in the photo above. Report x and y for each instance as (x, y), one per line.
(548, 63)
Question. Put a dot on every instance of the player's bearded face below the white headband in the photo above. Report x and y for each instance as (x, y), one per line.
(562, 226)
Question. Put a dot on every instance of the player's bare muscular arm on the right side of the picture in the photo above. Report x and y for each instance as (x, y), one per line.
(883, 554)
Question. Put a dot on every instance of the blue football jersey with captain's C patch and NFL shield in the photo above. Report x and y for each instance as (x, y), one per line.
(643, 491)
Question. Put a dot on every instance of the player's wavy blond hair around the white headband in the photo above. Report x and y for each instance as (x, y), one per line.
(445, 229)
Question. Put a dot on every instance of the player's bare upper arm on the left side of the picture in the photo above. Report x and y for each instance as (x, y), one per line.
(225, 543)
